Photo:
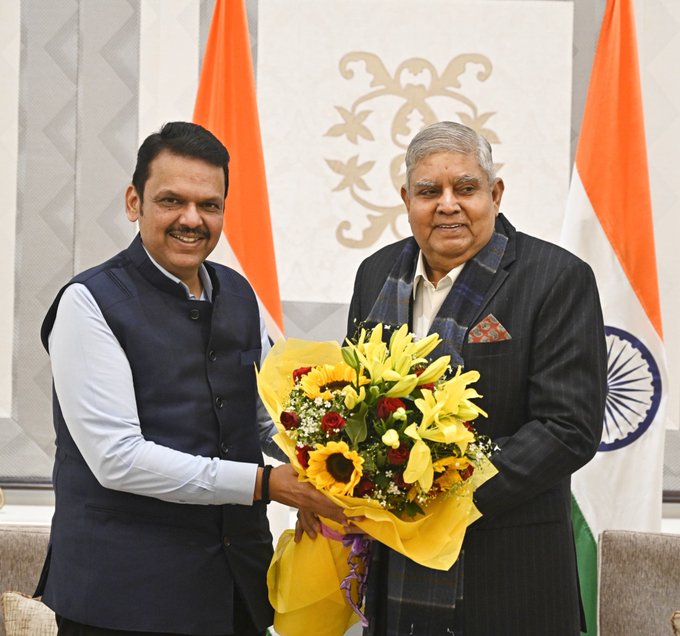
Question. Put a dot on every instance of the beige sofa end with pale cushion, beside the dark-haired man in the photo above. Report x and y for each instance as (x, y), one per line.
(22, 552)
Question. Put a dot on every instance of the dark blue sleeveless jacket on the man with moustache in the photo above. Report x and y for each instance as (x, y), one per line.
(130, 562)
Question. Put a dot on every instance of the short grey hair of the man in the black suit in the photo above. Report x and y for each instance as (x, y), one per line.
(449, 136)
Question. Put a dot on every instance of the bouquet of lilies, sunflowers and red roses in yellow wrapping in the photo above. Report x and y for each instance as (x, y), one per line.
(386, 433)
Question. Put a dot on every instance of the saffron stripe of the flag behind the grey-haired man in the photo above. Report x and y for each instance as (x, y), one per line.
(612, 155)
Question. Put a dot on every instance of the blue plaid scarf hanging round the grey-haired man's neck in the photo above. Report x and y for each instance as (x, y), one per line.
(404, 598)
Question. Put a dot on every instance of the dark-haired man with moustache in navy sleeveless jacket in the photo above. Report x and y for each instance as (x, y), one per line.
(160, 522)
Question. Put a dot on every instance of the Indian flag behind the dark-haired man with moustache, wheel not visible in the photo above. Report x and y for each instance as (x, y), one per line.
(227, 106)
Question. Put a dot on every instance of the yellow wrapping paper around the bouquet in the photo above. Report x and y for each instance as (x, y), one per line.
(304, 578)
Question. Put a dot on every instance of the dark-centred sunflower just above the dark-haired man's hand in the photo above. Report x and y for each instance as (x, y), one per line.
(335, 468)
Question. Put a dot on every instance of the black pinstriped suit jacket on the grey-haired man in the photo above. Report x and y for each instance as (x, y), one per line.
(544, 391)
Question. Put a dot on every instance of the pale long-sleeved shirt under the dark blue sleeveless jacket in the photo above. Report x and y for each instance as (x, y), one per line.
(93, 381)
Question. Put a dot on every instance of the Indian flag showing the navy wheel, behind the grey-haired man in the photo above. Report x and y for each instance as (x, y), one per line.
(608, 223)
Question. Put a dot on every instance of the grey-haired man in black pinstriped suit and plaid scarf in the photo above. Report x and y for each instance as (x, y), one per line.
(525, 314)
